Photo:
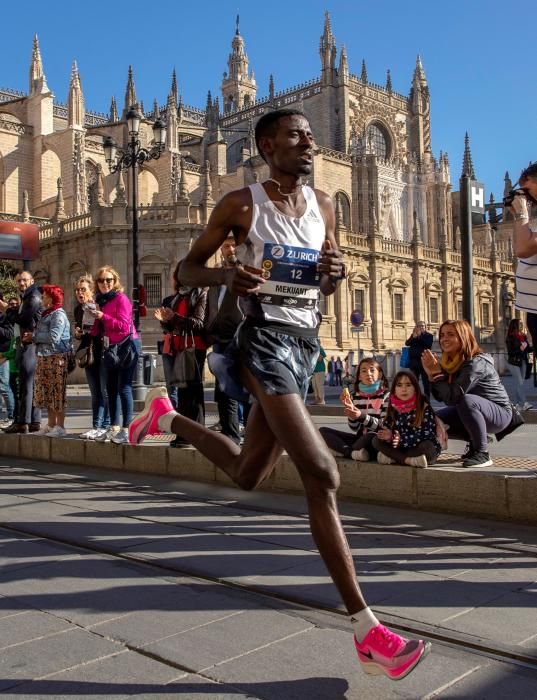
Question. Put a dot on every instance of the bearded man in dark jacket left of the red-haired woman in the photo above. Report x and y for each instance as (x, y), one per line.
(25, 318)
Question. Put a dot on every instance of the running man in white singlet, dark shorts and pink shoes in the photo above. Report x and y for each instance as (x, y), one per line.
(287, 253)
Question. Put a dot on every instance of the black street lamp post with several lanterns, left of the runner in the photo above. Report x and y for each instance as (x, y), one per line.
(131, 156)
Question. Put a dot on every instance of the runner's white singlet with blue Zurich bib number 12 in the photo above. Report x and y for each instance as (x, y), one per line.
(286, 249)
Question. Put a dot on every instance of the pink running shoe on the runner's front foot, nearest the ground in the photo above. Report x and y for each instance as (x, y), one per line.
(383, 651)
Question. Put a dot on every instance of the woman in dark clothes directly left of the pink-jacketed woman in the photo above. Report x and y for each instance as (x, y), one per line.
(84, 319)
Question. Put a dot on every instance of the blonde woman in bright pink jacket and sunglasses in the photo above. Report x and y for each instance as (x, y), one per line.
(114, 324)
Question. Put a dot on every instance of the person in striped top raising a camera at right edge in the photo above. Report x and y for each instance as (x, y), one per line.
(525, 246)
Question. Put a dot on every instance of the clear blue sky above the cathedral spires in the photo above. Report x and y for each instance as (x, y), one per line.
(478, 59)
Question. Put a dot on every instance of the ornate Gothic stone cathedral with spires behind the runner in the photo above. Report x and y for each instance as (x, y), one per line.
(393, 200)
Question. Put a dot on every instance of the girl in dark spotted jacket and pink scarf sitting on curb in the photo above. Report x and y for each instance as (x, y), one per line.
(411, 436)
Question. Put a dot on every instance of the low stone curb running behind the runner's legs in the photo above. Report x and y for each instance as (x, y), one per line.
(478, 493)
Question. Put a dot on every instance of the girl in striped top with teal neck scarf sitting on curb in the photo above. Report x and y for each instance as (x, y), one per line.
(364, 411)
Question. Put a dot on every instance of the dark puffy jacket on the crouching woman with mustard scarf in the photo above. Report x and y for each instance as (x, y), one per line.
(476, 376)
